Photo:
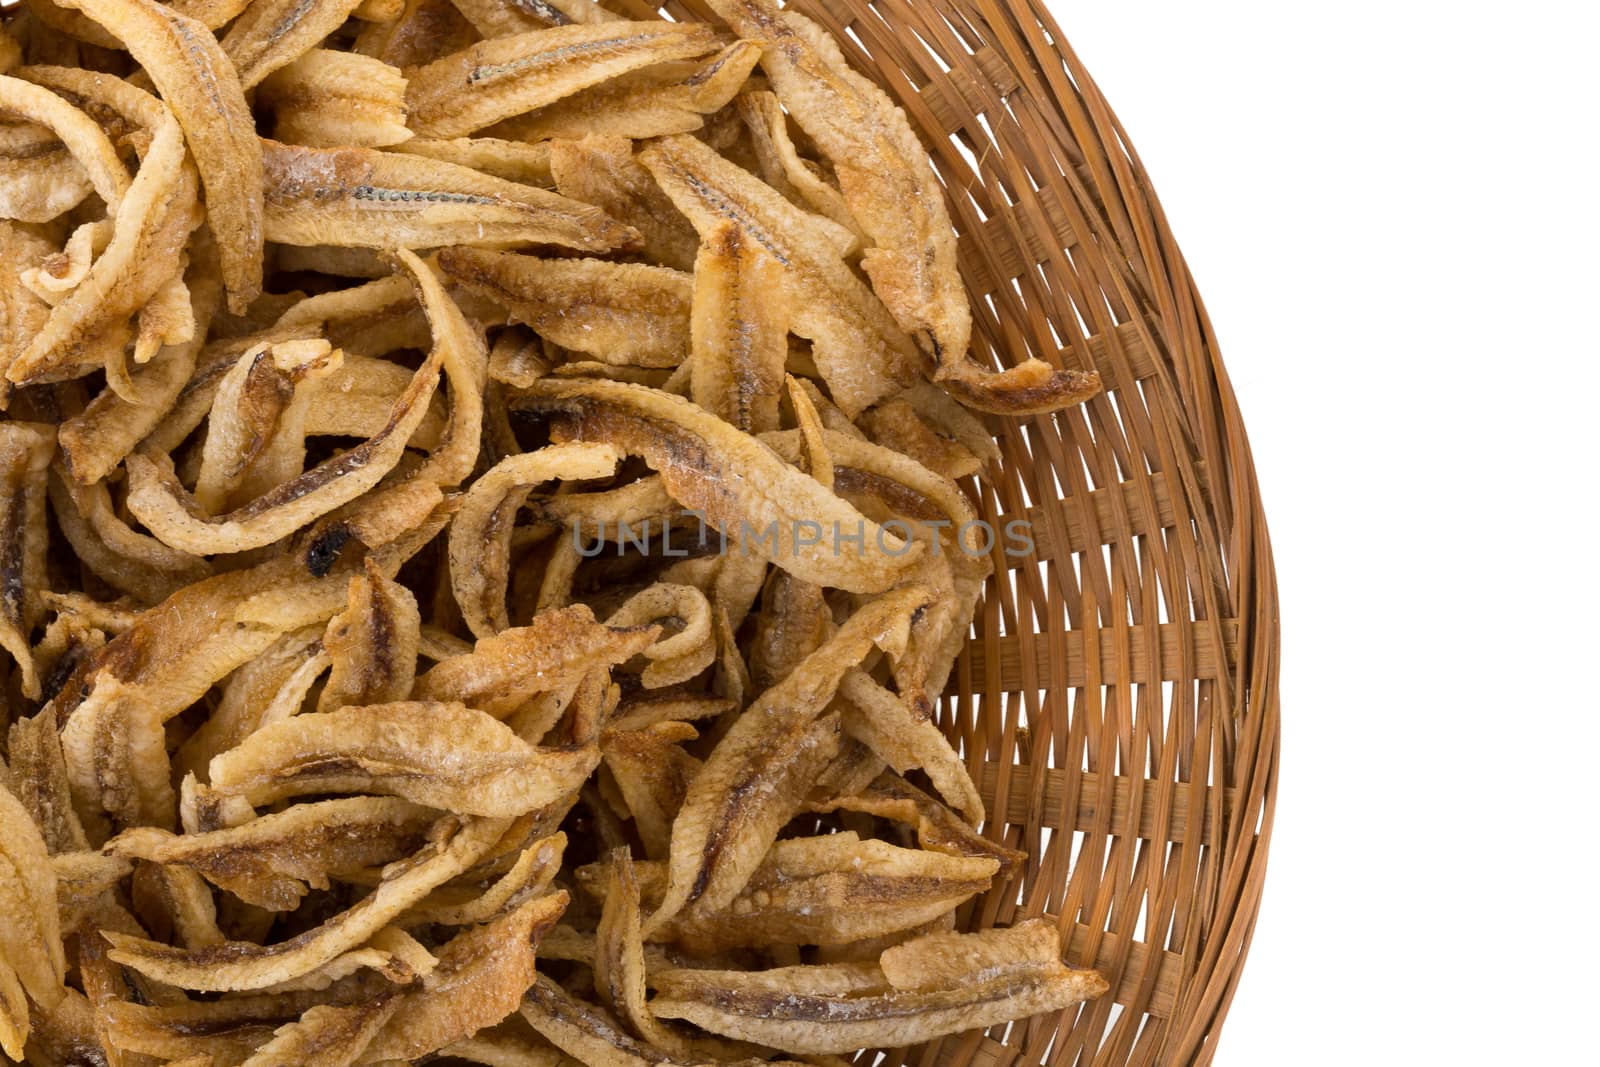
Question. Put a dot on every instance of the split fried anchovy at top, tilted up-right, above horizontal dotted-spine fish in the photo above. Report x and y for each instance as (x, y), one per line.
(511, 76)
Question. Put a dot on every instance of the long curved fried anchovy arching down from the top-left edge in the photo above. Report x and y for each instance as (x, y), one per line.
(199, 84)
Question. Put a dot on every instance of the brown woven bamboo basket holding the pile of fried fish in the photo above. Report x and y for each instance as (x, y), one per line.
(1118, 705)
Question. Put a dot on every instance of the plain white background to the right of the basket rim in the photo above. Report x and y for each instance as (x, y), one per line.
(1391, 214)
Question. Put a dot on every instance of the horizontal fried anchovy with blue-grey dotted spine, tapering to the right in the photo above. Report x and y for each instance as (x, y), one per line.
(369, 199)
